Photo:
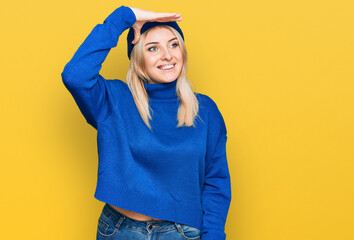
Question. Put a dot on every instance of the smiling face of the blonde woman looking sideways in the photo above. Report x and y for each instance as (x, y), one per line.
(162, 55)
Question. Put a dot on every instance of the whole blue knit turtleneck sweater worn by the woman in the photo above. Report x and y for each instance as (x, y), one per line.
(169, 173)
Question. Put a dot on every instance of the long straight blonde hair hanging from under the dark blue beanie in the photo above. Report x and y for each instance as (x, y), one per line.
(189, 106)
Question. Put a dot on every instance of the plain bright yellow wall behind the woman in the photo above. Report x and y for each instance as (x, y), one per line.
(281, 73)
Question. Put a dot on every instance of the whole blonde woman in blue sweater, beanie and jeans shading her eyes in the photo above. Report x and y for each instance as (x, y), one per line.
(162, 172)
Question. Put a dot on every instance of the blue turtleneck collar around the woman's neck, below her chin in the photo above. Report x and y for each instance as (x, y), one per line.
(161, 90)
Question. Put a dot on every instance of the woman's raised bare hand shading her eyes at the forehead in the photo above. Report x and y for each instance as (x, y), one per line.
(142, 16)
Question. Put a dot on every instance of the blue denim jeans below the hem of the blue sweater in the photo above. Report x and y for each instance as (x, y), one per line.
(116, 226)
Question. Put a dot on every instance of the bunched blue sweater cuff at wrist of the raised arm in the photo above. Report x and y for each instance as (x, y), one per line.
(122, 16)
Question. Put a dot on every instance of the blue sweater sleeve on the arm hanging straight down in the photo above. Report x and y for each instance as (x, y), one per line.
(216, 192)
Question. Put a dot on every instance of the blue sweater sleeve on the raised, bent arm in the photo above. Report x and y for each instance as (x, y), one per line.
(81, 76)
